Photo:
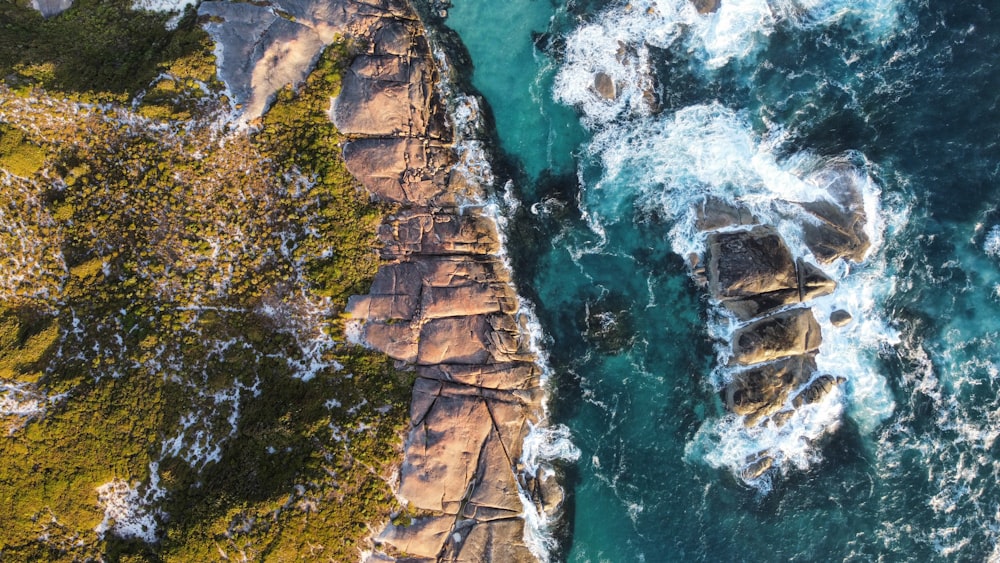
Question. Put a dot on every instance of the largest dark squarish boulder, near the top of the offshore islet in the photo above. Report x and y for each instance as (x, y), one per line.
(747, 263)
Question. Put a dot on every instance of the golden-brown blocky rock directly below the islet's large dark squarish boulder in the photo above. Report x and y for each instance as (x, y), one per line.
(788, 333)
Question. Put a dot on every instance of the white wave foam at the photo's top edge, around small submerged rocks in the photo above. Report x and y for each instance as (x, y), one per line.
(608, 69)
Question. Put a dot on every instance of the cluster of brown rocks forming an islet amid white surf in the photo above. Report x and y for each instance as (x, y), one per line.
(750, 272)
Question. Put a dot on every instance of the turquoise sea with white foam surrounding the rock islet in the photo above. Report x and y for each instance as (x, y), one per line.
(750, 103)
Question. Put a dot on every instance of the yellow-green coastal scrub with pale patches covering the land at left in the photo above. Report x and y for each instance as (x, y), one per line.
(172, 317)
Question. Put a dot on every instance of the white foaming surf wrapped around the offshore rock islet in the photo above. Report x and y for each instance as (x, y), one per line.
(668, 166)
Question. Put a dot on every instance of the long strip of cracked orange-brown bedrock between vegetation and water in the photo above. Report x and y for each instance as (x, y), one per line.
(444, 303)
